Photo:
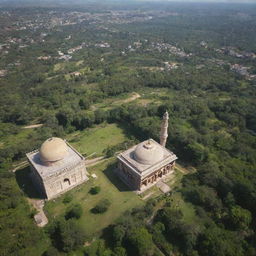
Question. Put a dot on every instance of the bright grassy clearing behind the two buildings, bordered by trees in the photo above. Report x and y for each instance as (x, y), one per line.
(96, 140)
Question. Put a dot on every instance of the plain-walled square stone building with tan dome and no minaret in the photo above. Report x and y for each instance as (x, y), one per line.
(56, 167)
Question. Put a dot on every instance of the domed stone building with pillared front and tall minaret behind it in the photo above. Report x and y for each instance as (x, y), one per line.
(143, 165)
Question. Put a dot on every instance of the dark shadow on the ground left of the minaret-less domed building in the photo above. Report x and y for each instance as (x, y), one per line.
(25, 183)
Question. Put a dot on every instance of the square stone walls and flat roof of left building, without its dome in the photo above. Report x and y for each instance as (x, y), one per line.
(60, 176)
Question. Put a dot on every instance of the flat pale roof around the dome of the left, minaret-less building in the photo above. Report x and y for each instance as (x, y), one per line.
(72, 159)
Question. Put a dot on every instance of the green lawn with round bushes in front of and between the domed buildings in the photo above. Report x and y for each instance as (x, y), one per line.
(111, 188)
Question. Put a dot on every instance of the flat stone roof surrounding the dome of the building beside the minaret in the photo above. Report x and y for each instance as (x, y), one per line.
(144, 169)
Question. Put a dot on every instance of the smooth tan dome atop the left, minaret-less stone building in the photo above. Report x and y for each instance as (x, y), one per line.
(53, 149)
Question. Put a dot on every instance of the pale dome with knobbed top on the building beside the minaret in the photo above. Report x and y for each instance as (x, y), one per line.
(148, 153)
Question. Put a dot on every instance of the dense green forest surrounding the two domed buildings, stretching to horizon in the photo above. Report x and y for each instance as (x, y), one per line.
(188, 59)
